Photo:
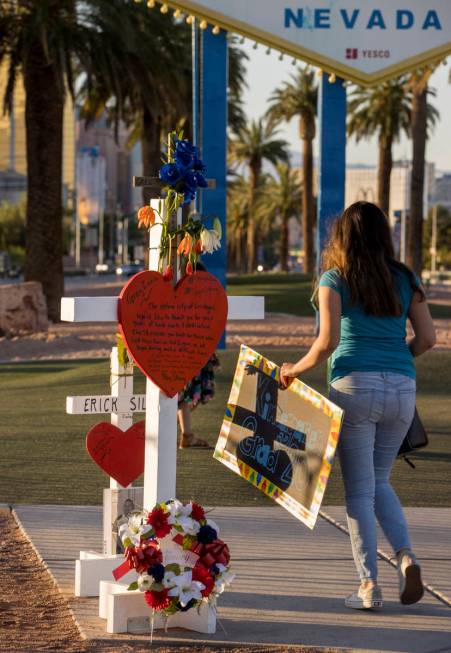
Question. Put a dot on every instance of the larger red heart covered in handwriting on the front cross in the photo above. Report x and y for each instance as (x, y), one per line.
(171, 332)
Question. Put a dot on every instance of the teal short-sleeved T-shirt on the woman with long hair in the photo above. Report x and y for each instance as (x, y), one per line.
(369, 343)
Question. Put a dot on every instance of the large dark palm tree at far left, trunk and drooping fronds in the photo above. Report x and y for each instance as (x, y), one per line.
(46, 42)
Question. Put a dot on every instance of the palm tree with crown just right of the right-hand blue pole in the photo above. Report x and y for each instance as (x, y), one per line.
(384, 110)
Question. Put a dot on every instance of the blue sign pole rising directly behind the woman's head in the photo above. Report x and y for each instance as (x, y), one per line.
(332, 157)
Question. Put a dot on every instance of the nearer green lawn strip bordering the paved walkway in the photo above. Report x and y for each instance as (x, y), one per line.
(44, 460)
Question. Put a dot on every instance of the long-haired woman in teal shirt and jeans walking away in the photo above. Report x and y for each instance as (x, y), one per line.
(364, 298)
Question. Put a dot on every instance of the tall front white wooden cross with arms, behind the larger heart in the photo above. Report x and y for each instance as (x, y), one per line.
(161, 411)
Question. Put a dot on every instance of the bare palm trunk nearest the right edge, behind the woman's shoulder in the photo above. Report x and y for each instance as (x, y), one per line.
(419, 132)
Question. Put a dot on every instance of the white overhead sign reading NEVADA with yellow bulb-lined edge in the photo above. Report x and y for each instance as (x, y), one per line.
(366, 42)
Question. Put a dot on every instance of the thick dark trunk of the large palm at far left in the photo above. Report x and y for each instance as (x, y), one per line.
(44, 109)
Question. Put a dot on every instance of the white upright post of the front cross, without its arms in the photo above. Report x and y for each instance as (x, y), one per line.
(161, 413)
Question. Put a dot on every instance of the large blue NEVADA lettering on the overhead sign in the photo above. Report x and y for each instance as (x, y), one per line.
(322, 18)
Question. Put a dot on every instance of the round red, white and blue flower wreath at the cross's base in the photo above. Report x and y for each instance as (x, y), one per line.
(180, 560)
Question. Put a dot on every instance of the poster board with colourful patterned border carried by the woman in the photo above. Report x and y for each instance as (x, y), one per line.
(283, 441)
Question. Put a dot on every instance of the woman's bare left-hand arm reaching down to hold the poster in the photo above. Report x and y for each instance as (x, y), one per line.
(327, 341)
